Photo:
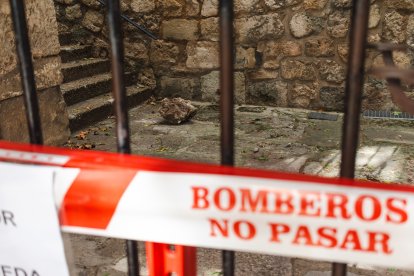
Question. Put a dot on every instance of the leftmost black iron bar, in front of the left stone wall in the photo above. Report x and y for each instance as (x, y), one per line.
(26, 71)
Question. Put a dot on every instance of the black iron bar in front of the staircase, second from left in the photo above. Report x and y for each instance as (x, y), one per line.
(121, 111)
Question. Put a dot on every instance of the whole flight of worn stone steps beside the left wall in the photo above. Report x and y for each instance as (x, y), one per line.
(87, 84)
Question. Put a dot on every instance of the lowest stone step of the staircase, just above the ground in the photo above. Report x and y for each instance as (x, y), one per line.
(99, 108)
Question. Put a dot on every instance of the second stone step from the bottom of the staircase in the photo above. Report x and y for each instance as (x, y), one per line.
(86, 88)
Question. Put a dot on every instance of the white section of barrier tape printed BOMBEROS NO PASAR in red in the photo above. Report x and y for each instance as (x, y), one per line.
(279, 217)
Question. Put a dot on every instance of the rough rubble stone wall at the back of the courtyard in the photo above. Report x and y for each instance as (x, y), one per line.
(289, 53)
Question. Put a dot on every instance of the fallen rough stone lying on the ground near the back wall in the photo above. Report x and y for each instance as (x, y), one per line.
(177, 110)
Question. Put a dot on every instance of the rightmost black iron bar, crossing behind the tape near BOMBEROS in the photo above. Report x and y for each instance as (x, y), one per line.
(353, 96)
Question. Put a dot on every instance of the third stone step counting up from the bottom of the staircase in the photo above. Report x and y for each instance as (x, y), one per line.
(79, 69)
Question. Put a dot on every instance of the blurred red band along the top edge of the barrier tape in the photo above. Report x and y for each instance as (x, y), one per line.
(107, 161)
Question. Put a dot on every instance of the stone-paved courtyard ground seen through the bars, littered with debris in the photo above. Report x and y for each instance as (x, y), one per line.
(267, 138)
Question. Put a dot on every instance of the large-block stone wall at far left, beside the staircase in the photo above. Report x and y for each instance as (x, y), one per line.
(45, 48)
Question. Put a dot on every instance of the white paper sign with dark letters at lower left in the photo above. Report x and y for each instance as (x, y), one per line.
(30, 238)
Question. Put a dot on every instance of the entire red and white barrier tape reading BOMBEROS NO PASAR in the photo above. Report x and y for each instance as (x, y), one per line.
(203, 205)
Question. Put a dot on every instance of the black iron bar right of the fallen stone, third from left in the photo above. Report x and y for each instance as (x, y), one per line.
(227, 103)
